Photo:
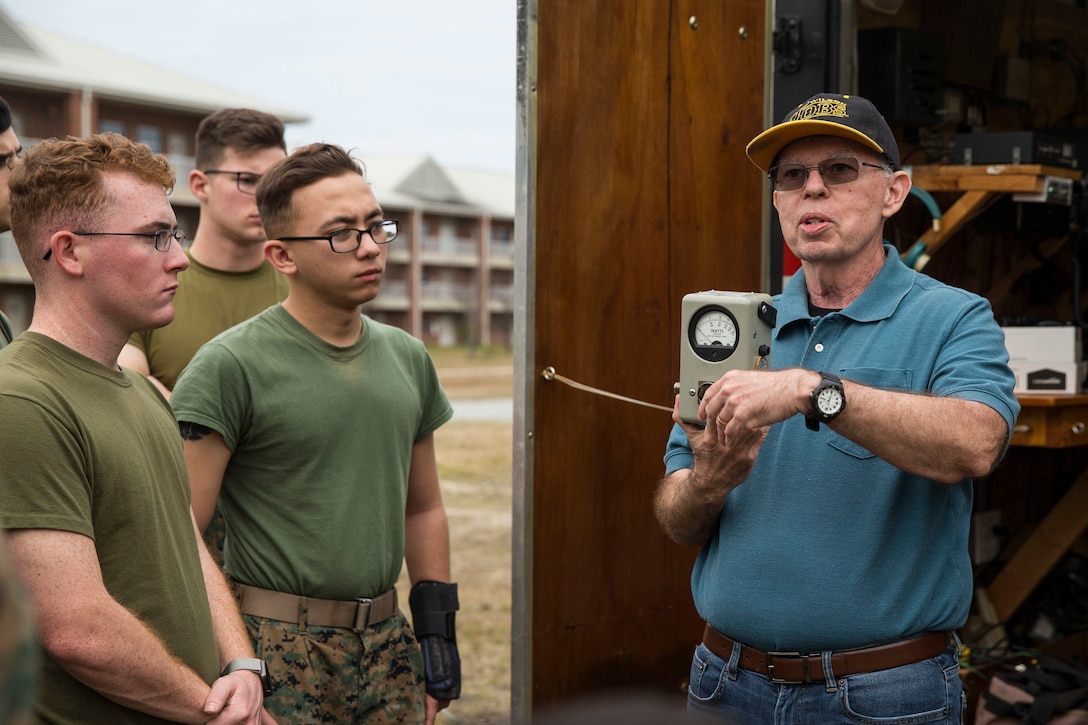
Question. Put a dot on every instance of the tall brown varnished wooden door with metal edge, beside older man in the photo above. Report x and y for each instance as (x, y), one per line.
(634, 191)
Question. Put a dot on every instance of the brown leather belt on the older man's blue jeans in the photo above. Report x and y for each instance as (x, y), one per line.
(795, 669)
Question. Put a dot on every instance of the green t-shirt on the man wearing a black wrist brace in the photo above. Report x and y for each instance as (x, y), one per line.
(314, 496)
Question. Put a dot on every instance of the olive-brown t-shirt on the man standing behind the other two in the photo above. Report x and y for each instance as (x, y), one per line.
(207, 302)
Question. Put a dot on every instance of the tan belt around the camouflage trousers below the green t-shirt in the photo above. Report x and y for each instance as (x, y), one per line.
(353, 615)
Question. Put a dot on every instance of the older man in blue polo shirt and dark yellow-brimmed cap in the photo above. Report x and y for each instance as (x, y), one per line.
(832, 495)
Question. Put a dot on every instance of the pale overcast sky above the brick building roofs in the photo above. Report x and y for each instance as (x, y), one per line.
(382, 77)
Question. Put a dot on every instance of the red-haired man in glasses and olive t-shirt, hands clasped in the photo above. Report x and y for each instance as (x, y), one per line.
(137, 622)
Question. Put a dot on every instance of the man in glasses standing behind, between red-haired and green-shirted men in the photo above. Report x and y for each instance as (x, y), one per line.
(229, 279)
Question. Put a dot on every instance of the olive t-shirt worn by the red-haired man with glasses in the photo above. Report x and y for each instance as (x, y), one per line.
(97, 452)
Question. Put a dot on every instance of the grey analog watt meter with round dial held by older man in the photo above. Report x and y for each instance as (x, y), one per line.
(721, 331)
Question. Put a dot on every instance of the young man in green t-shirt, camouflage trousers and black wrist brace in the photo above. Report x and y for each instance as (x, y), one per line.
(340, 424)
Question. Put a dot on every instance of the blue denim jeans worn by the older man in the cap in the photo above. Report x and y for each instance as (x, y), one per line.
(928, 692)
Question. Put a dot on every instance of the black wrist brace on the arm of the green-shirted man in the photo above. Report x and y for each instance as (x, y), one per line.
(434, 610)
